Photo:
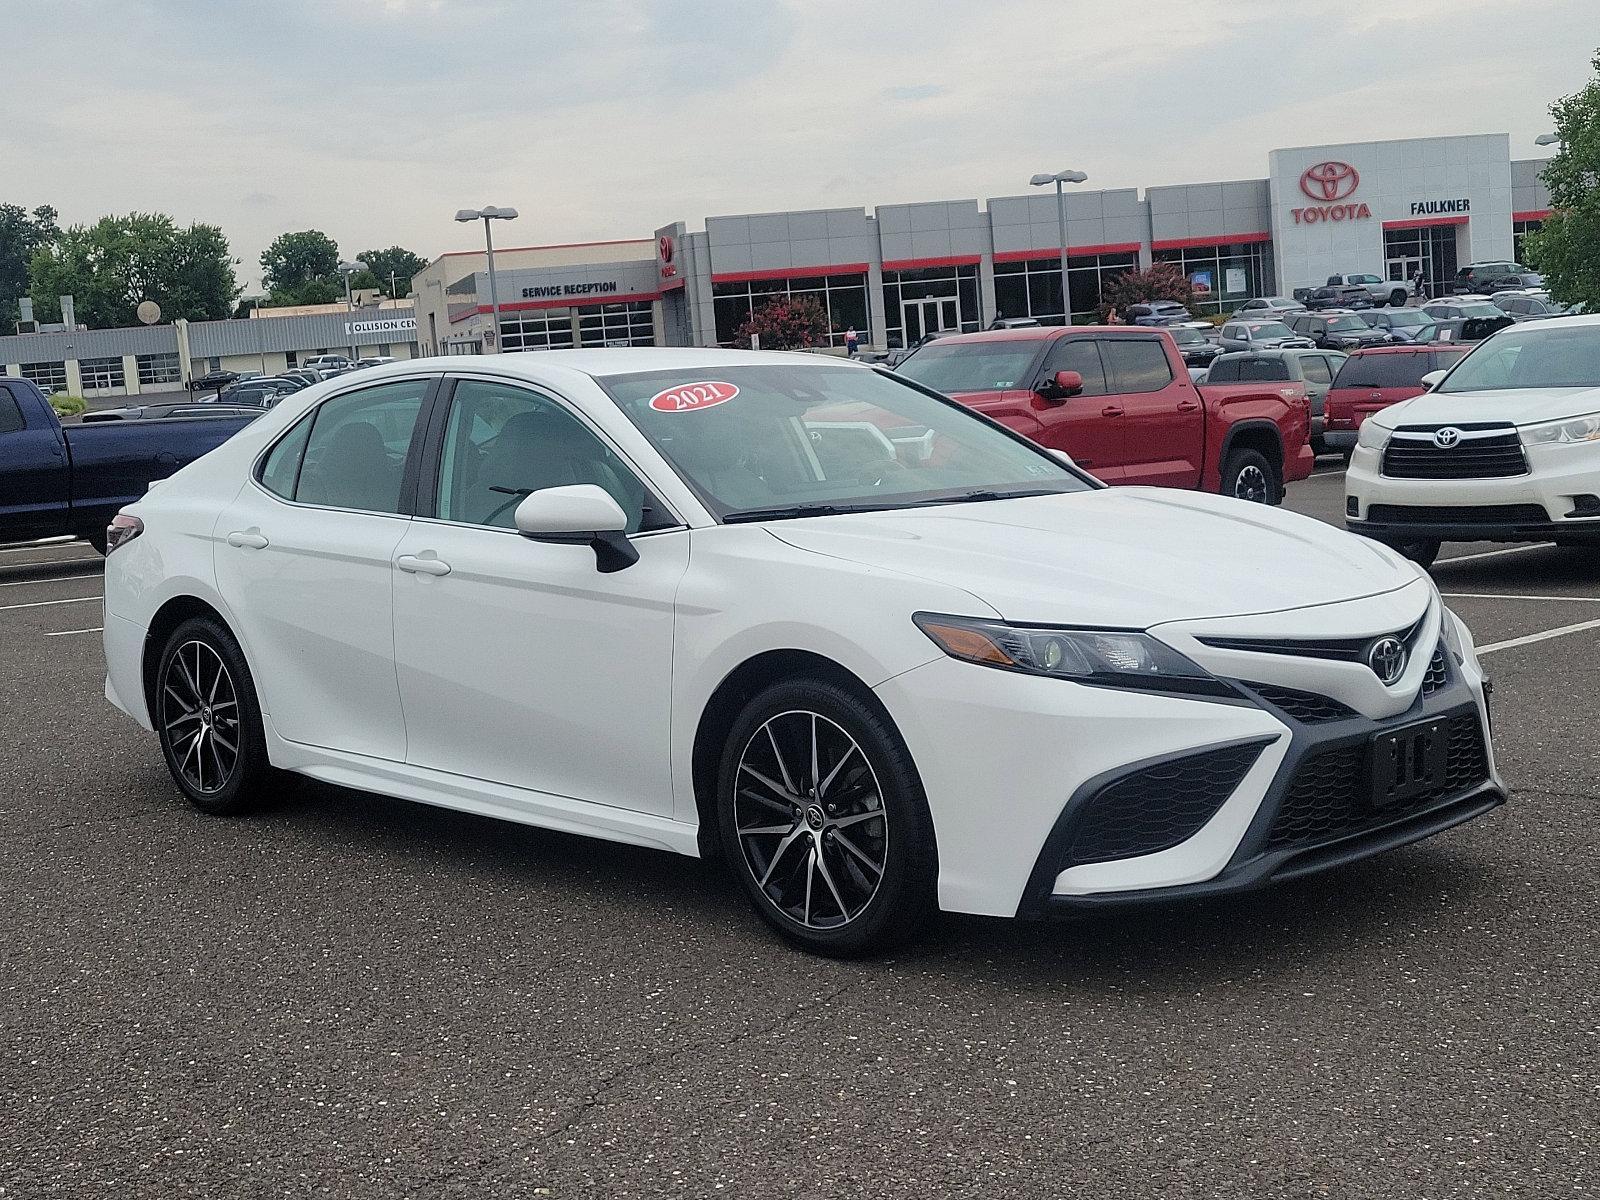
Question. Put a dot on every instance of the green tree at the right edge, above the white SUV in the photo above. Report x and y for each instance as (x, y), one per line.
(1567, 247)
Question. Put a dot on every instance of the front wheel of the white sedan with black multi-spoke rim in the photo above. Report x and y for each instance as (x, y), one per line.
(825, 822)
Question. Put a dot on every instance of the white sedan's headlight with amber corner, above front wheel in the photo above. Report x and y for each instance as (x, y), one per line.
(1102, 657)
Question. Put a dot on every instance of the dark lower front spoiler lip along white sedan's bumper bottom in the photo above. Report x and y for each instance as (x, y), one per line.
(1286, 865)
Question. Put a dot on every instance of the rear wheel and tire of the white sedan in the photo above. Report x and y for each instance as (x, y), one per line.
(209, 719)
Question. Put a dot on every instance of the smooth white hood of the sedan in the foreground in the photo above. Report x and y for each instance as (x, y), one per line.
(1124, 558)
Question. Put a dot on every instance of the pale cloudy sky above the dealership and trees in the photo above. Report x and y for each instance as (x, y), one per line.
(377, 119)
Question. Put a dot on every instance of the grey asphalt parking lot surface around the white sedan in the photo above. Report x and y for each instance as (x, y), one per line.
(354, 996)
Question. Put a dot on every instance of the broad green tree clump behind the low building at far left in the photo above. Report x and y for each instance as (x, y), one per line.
(116, 263)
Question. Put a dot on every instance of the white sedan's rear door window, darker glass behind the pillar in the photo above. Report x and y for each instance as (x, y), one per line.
(358, 449)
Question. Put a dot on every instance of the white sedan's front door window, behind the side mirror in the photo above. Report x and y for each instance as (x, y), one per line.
(505, 442)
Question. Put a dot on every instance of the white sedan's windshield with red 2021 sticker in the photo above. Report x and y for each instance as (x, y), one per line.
(772, 442)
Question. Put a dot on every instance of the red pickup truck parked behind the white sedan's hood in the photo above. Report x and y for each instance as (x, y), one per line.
(1121, 402)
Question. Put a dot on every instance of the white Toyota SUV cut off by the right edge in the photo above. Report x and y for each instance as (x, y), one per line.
(1506, 447)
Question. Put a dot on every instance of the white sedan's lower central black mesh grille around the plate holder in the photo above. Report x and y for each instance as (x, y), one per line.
(1330, 794)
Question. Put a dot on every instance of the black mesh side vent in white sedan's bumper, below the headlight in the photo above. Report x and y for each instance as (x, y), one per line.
(1159, 807)
